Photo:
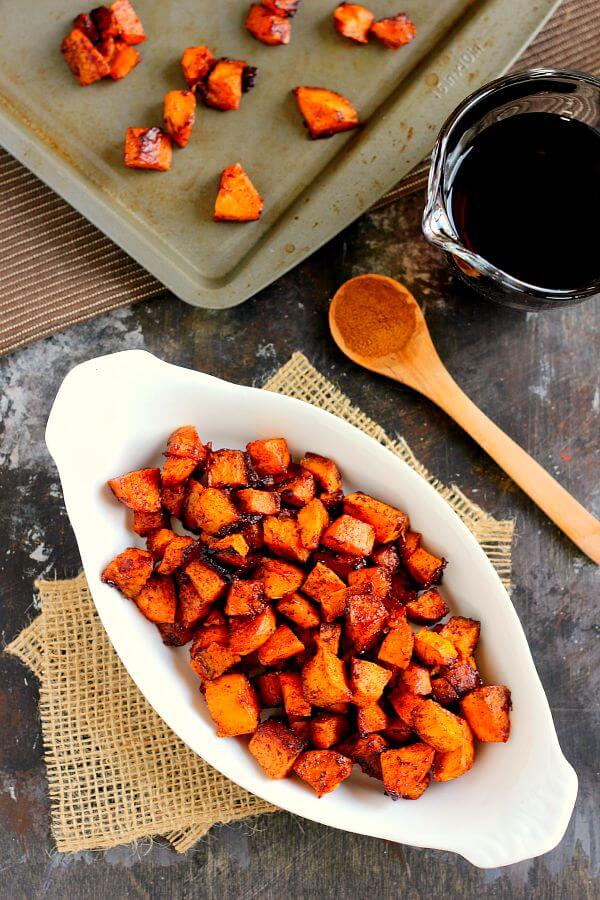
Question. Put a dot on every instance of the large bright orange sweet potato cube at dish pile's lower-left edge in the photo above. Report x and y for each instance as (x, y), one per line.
(233, 704)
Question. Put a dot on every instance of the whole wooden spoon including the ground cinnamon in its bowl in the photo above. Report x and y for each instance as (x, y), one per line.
(377, 322)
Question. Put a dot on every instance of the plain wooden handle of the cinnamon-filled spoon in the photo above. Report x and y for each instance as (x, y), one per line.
(564, 510)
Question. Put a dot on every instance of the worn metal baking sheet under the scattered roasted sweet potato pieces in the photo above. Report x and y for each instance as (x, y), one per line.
(73, 137)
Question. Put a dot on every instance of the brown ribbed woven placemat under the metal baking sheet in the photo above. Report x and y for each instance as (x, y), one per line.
(56, 269)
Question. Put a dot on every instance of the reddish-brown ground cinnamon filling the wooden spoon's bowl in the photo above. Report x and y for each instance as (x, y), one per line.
(374, 317)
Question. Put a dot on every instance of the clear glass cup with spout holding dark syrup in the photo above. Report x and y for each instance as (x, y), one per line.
(514, 189)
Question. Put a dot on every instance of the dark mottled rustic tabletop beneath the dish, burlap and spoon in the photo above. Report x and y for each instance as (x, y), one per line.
(536, 375)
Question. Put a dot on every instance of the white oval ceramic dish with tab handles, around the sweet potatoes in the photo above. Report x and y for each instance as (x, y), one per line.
(114, 414)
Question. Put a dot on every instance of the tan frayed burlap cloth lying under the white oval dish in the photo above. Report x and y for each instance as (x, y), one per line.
(116, 772)
